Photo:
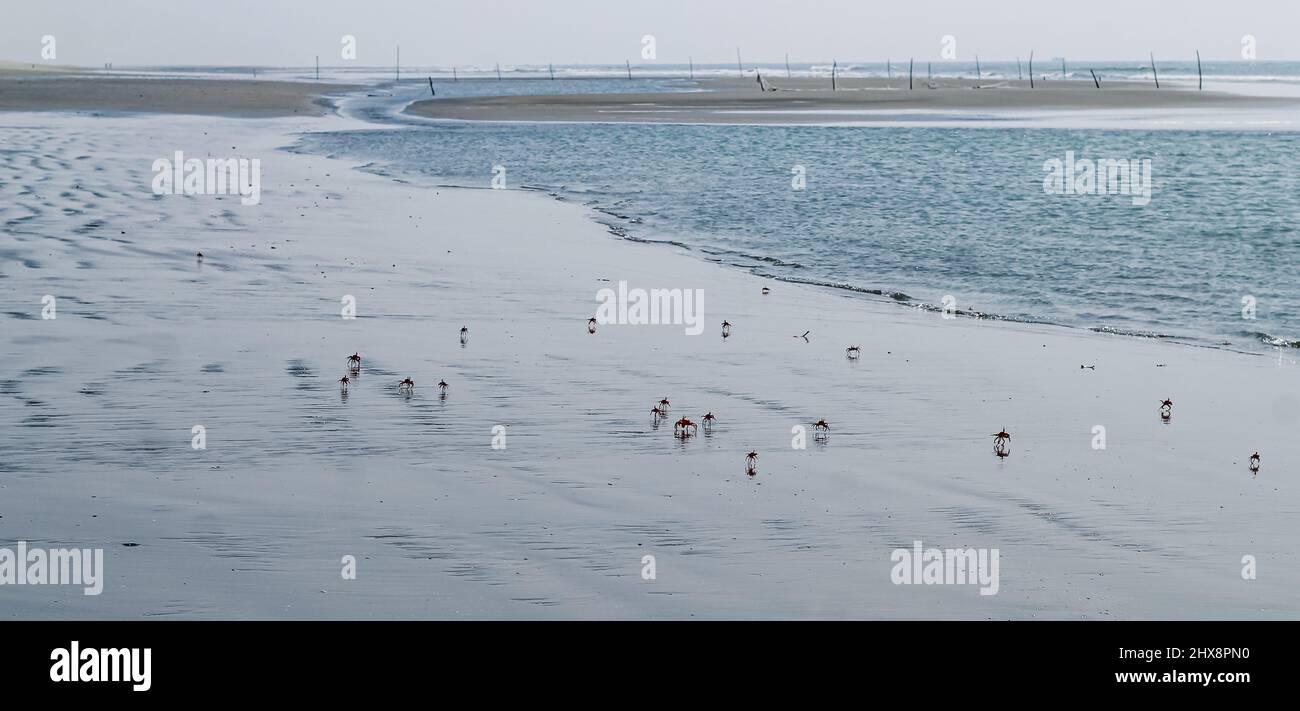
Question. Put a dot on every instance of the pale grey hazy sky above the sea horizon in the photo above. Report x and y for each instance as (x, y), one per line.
(437, 33)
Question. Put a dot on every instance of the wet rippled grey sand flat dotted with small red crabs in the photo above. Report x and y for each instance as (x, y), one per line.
(98, 409)
